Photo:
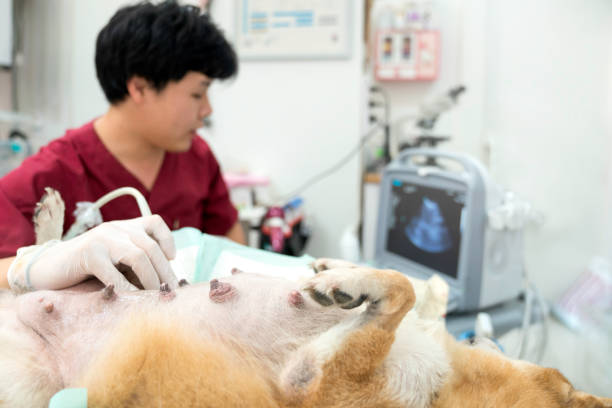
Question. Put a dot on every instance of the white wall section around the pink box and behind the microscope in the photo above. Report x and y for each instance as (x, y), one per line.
(461, 28)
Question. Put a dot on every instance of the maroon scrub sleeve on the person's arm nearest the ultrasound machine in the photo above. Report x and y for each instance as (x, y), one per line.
(219, 212)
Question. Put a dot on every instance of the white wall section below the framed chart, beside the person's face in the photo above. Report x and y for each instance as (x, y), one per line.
(290, 120)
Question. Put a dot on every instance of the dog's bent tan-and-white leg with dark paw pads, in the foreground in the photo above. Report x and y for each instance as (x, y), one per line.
(342, 366)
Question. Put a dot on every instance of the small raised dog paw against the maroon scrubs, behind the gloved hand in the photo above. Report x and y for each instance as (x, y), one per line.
(49, 216)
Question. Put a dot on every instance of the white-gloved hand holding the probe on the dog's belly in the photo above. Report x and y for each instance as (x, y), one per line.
(144, 244)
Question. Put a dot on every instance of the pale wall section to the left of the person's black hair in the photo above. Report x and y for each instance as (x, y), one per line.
(56, 76)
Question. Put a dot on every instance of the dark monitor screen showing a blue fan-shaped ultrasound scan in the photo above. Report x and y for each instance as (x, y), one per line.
(425, 225)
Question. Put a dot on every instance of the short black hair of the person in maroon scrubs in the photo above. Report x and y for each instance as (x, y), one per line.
(161, 43)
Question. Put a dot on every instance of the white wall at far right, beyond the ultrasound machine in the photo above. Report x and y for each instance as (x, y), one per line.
(547, 125)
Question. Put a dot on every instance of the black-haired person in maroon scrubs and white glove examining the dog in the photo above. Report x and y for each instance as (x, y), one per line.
(155, 64)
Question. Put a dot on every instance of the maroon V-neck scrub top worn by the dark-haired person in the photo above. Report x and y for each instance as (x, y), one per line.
(188, 192)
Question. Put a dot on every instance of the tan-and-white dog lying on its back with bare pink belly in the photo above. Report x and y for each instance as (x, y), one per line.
(349, 336)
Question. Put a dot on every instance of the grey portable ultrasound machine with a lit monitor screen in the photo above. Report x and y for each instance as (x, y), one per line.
(434, 219)
